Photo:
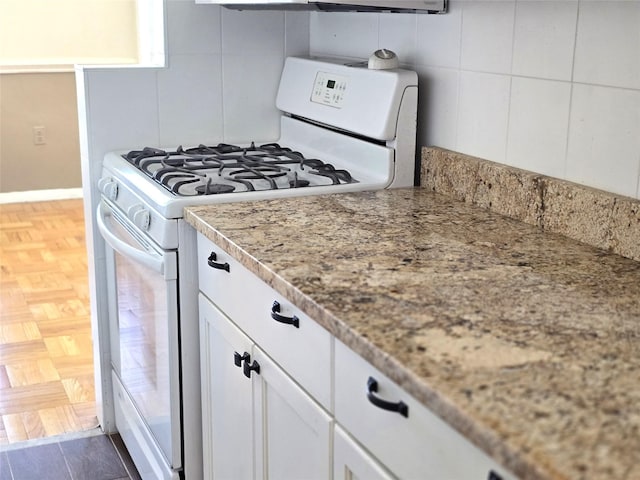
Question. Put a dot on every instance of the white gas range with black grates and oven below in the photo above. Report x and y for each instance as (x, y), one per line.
(344, 127)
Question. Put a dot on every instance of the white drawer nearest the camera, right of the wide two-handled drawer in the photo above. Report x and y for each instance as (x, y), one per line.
(420, 445)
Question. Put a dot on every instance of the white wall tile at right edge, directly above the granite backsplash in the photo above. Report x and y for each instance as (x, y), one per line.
(604, 140)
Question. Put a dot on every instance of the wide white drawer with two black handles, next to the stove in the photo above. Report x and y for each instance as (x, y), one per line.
(303, 350)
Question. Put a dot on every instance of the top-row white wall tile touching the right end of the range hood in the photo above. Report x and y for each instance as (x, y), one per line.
(439, 38)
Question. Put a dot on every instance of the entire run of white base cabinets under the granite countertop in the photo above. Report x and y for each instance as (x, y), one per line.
(266, 416)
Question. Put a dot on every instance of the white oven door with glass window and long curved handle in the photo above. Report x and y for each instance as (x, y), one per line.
(143, 311)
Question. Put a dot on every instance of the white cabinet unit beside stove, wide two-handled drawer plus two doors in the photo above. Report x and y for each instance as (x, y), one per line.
(258, 422)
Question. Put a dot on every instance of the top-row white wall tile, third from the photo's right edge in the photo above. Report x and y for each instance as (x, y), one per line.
(487, 36)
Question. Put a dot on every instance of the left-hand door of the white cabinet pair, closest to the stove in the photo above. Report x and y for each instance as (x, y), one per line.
(228, 447)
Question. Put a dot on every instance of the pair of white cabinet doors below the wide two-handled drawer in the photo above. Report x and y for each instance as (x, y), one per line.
(258, 424)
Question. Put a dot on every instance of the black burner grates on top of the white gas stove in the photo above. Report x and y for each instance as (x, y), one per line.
(212, 170)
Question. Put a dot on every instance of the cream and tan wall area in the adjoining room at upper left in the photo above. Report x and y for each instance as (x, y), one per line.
(40, 41)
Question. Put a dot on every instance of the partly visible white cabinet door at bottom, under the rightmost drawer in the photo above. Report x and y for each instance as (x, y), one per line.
(352, 462)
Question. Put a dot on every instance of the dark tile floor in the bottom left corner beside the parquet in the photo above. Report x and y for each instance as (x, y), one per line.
(98, 457)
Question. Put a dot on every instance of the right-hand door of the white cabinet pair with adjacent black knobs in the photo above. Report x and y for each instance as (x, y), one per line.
(295, 430)
